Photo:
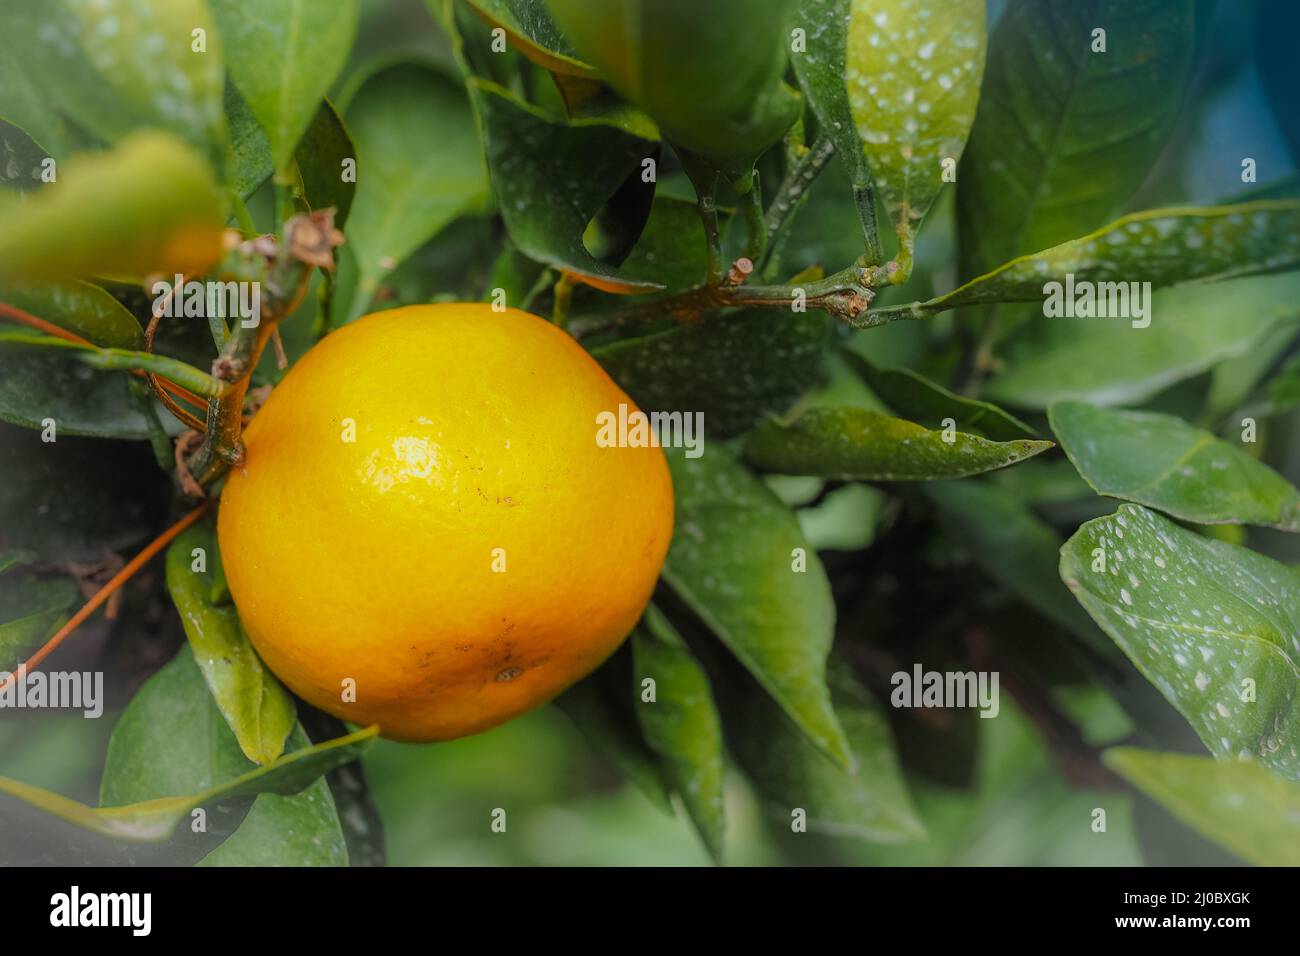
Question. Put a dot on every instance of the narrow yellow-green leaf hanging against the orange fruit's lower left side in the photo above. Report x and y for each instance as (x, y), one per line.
(252, 700)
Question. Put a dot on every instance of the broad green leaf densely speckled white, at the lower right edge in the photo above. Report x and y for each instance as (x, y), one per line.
(1216, 628)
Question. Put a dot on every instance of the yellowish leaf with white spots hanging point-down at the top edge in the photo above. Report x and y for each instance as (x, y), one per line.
(913, 76)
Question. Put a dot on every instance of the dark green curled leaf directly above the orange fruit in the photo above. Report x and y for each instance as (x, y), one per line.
(553, 178)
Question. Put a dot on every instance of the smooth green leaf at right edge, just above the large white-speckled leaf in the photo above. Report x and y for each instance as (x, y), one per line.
(1165, 464)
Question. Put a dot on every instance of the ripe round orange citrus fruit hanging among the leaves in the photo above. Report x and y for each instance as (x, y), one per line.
(426, 516)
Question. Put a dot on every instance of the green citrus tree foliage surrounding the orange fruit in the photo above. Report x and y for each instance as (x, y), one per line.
(993, 380)
